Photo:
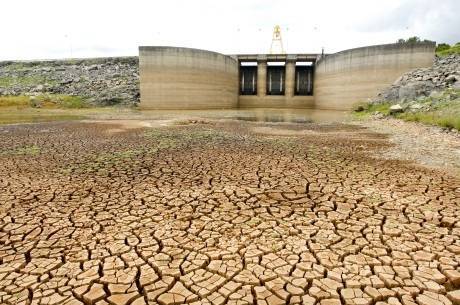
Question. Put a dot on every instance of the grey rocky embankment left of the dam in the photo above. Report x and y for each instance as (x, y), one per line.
(101, 81)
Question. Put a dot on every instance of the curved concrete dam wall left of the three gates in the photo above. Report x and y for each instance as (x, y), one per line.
(183, 78)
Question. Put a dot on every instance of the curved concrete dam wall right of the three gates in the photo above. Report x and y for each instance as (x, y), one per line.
(352, 76)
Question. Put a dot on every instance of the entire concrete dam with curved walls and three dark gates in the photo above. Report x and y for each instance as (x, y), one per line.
(184, 78)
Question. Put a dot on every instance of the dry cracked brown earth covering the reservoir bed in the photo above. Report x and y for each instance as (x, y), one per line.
(221, 213)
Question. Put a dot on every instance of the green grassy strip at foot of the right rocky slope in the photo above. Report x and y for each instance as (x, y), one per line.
(442, 110)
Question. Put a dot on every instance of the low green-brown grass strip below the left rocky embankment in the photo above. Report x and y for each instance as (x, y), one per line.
(44, 101)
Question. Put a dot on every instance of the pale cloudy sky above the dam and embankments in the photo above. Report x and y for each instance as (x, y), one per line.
(38, 29)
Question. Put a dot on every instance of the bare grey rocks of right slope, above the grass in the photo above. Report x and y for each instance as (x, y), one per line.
(445, 73)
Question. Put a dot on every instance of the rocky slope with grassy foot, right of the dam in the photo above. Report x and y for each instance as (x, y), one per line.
(429, 95)
